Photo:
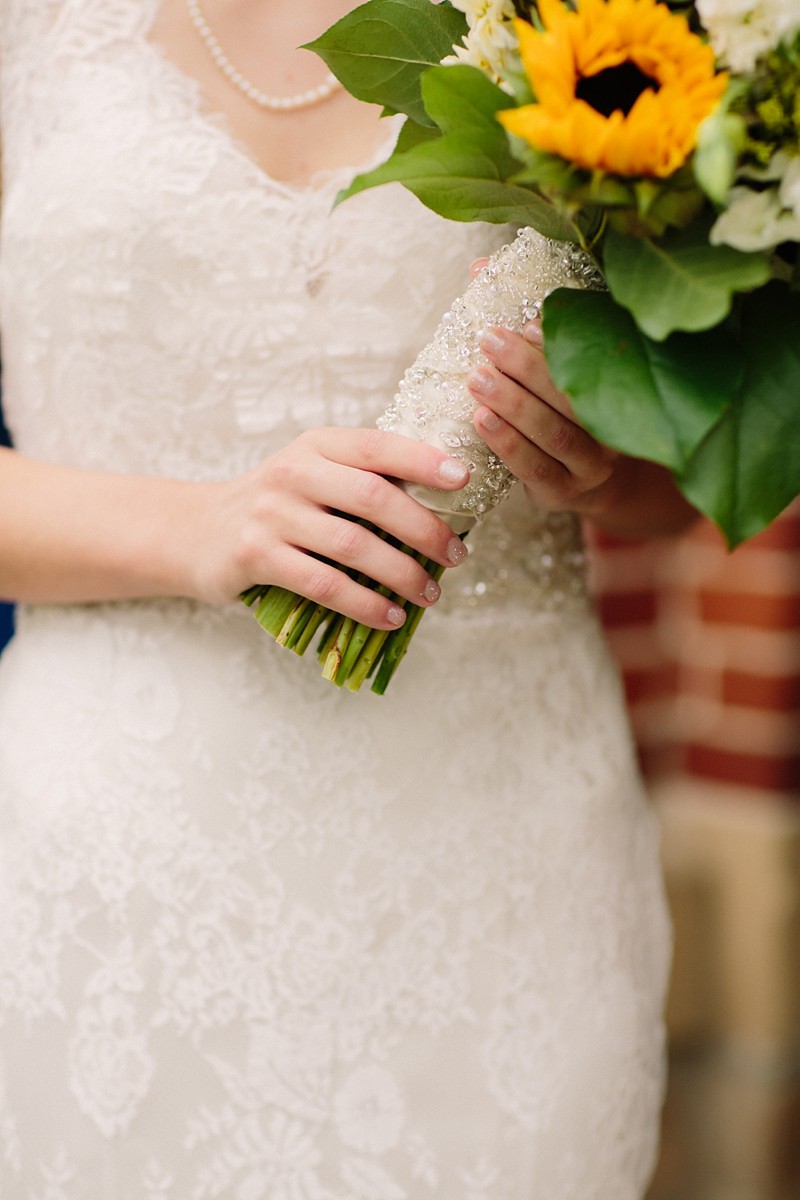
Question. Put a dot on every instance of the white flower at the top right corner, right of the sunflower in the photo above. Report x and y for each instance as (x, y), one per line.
(742, 31)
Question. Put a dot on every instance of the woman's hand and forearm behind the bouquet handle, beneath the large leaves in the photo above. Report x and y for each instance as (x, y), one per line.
(530, 424)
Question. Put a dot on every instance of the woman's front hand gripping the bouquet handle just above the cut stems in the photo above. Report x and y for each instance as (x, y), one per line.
(270, 525)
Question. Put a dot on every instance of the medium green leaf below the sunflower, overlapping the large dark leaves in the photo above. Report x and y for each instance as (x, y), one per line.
(678, 284)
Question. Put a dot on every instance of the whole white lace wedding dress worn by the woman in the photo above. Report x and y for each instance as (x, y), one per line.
(262, 940)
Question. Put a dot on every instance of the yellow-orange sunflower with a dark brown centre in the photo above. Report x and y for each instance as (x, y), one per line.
(621, 86)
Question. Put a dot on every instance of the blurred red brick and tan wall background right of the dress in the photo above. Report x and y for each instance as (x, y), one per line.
(709, 647)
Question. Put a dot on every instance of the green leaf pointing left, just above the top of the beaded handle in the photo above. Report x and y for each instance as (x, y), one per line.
(462, 178)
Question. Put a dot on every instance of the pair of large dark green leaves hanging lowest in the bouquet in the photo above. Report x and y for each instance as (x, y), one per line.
(720, 409)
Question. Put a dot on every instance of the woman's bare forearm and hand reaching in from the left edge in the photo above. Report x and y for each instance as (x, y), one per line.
(70, 536)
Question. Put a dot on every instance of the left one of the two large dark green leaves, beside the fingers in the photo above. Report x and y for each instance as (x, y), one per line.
(652, 400)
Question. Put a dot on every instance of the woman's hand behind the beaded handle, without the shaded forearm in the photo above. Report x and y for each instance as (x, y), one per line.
(531, 425)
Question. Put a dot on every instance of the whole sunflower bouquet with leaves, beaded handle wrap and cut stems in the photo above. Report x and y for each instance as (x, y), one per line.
(652, 151)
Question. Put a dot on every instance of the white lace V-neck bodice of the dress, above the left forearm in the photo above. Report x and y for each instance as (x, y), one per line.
(213, 311)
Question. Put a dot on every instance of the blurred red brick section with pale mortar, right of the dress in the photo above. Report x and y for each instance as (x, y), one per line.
(709, 644)
